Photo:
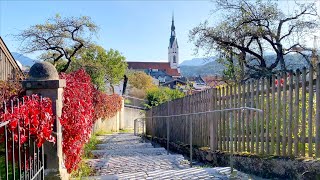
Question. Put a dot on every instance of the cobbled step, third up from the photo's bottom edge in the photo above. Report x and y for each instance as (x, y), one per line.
(128, 152)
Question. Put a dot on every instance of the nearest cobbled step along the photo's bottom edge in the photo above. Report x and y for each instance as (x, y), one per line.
(189, 173)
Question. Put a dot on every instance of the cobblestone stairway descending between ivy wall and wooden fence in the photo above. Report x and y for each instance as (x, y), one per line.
(125, 156)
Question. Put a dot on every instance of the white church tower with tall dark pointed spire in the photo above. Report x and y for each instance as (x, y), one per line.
(173, 49)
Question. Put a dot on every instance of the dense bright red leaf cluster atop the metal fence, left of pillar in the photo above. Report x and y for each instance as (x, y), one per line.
(31, 111)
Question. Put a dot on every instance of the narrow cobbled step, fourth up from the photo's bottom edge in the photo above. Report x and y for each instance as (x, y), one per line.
(123, 146)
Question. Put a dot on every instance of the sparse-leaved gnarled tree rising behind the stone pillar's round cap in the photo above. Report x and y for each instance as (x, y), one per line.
(59, 38)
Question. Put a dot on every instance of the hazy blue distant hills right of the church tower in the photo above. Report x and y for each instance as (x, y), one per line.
(203, 67)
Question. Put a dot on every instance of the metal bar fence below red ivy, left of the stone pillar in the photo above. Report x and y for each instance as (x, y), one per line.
(19, 160)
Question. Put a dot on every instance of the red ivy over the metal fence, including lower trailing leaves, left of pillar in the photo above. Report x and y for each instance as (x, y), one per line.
(34, 117)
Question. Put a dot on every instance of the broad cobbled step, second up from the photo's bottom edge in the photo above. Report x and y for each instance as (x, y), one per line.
(133, 164)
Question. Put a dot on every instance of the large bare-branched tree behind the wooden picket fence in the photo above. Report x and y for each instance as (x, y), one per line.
(248, 29)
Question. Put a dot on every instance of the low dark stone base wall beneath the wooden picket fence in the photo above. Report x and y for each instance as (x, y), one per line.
(262, 166)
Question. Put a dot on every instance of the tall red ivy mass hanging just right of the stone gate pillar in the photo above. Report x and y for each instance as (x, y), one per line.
(77, 116)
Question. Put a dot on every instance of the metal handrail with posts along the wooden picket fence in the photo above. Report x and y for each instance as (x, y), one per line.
(204, 112)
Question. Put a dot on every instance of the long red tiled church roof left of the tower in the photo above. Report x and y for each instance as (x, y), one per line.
(164, 66)
